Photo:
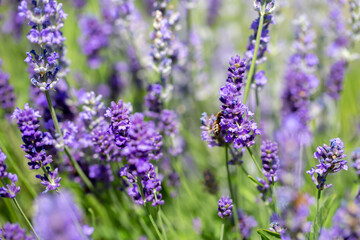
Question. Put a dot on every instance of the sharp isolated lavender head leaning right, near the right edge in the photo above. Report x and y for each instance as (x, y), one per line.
(330, 161)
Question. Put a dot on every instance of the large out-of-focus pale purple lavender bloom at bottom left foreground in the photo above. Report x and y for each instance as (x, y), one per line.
(58, 217)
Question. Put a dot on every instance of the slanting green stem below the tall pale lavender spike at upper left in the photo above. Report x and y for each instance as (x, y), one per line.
(67, 152)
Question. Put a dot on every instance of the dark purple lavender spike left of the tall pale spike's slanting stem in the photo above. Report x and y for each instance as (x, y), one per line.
(28, 124)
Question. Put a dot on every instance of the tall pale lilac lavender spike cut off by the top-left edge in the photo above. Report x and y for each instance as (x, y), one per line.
(46, 19)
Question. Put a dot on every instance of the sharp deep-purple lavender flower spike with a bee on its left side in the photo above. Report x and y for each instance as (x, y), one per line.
(235, 119)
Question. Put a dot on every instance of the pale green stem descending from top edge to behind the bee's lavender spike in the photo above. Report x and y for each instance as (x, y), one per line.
(253, 62)
